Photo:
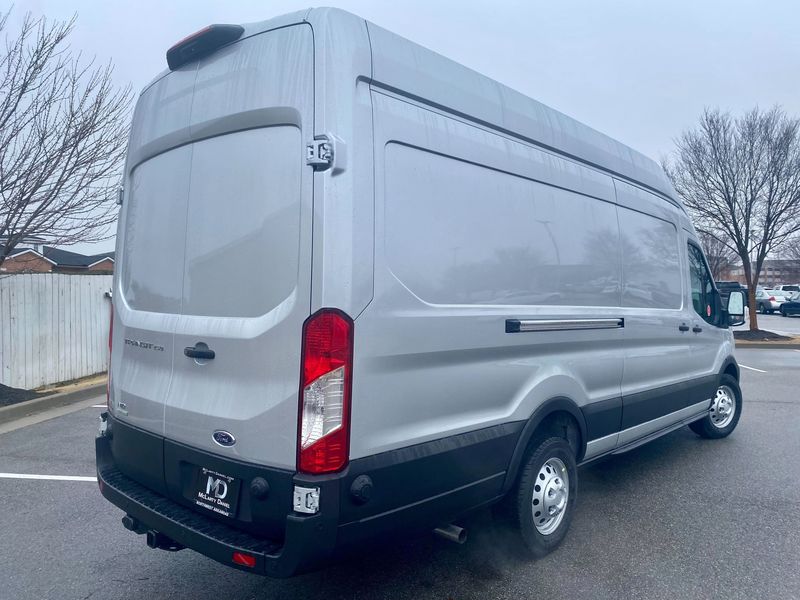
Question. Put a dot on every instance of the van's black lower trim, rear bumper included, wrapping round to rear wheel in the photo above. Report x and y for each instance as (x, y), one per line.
(414, 489)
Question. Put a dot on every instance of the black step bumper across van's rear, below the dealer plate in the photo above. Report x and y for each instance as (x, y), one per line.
(309, 540)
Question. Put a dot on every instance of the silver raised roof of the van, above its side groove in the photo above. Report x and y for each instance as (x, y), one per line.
(406, 68)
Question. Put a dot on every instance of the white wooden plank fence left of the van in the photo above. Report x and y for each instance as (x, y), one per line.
(53, 327)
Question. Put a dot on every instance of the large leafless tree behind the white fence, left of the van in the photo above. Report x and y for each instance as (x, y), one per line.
(63, 128)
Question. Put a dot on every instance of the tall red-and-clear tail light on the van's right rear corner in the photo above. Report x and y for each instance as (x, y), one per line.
(326, 382)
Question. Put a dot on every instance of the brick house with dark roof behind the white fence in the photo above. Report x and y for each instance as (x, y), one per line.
(46, 259)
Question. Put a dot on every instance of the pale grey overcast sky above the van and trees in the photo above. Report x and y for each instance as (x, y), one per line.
(640, 71)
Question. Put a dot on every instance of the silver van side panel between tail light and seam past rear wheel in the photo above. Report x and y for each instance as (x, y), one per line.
(470, 229)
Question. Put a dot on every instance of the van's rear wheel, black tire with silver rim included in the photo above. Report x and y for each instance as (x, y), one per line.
(543, 500)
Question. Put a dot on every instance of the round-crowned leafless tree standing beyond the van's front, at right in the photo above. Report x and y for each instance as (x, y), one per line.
(740, 179)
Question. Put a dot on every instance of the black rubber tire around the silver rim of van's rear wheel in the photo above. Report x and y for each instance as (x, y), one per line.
(521, 497)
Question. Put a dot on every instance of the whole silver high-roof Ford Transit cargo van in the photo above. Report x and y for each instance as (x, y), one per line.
(363, 290)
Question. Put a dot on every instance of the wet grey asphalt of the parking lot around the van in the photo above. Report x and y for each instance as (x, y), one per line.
(680, 517)
